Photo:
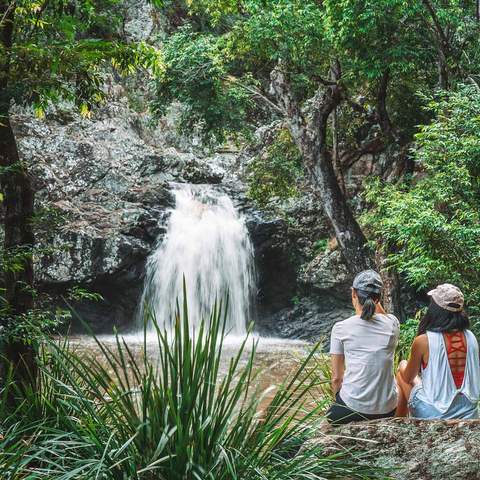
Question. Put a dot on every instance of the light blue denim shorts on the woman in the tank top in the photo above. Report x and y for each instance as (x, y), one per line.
(461, 407)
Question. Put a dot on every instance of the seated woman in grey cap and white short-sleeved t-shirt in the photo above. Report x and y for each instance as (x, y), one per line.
(362, 350)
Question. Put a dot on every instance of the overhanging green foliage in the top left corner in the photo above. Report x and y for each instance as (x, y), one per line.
(59, 50)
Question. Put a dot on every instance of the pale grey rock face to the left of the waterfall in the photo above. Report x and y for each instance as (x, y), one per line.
(107, 179)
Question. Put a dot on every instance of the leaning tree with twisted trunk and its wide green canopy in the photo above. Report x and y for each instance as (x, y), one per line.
(344, 78)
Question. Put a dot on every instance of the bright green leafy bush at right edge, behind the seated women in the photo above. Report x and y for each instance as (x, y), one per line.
(431, 224)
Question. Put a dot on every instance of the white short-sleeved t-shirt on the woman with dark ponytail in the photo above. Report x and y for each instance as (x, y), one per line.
(368, 345)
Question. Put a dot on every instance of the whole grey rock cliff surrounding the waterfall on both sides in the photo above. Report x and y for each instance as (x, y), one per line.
(104, 189)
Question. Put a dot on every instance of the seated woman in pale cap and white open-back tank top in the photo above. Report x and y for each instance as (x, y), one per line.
(446, 354)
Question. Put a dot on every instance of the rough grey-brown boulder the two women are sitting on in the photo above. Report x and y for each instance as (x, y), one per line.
(412, 449)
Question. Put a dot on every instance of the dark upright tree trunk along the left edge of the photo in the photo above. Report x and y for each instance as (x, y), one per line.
(18, 206)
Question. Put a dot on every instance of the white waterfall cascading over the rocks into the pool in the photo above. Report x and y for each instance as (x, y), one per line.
(206, 242)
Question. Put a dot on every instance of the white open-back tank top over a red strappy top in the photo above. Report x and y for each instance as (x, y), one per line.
(439, 387)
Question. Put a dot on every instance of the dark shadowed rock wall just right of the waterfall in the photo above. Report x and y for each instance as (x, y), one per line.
(304, 286)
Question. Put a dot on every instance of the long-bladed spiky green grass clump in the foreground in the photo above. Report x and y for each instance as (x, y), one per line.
(171, 417)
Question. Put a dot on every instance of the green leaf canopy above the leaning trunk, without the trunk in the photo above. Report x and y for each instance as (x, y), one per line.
(218, 63)
